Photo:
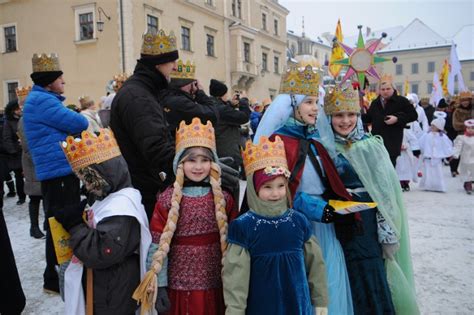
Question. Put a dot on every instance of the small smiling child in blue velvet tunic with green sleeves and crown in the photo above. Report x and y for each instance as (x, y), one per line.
(273, 264)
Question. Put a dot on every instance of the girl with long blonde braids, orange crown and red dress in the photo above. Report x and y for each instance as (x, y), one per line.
(189, 231)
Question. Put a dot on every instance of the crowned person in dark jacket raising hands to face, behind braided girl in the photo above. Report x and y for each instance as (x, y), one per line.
(185, 98)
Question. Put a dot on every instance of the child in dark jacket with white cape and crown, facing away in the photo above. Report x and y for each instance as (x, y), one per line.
(113, 242)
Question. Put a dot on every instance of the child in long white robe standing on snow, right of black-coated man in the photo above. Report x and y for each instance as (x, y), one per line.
(435, 146)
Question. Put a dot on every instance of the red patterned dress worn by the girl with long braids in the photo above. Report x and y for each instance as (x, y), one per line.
(194, 260)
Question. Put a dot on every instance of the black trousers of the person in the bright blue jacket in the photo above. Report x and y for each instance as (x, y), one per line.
(57, 193)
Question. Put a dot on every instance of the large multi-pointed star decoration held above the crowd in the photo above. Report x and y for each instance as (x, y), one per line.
(362, 59)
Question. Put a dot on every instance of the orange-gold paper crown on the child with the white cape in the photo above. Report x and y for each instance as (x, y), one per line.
(90, 149)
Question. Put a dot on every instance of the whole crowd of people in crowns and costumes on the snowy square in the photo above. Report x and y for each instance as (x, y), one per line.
(161, 222)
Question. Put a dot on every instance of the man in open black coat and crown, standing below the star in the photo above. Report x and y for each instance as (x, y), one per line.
(388, 114)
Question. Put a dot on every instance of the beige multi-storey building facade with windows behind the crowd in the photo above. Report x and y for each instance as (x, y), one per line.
(240, 42)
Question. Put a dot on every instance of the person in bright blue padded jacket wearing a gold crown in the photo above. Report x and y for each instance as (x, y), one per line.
(47, 122)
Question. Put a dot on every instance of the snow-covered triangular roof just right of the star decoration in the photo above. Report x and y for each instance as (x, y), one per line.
(416, 35)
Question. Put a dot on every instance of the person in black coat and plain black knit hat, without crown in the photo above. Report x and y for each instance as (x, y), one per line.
(232, 114)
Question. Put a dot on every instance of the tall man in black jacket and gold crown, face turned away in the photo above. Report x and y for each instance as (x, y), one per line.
(138, 120)
